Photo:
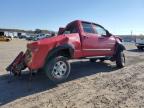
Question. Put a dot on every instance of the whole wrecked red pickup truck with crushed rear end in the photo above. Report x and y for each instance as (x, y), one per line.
(79, 39)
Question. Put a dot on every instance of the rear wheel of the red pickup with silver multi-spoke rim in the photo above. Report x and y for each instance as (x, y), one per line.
(58, 69)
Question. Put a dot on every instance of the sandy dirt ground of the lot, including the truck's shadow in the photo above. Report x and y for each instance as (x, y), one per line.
(90, 85)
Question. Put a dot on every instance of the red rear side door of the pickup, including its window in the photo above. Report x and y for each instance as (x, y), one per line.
(89, 40)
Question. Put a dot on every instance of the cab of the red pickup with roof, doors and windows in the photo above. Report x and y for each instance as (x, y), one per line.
(95, 39)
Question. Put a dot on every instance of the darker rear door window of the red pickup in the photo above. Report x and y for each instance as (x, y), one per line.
(87, 27)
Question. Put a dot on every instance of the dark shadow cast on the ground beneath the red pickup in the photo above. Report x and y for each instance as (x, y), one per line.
(22, 86)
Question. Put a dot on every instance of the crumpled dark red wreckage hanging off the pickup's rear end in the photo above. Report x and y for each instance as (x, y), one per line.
(17, 65)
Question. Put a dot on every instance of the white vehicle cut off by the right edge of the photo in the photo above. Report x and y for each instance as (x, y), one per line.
(139, 42)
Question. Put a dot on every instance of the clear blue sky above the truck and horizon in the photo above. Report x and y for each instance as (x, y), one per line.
(118, 16)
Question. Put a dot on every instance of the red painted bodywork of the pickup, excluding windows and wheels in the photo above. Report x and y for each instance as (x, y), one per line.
(85, 45)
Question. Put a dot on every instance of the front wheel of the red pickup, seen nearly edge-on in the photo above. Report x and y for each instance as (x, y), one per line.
(120, 59)
